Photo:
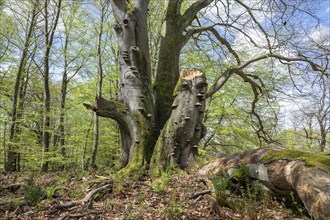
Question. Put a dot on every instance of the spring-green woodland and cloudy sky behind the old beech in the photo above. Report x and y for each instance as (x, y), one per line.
(294, 115)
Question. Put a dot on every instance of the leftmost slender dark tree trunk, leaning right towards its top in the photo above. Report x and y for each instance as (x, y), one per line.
(12, 156)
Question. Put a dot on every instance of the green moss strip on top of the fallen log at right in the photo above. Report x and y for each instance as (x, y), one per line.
(317, 160)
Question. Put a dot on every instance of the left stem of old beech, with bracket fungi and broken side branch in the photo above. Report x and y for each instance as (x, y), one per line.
(133, 107)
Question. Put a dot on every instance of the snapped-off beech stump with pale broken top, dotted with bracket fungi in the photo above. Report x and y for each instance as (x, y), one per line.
(184, 129)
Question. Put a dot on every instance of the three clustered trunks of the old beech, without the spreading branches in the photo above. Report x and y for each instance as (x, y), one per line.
(140, 115)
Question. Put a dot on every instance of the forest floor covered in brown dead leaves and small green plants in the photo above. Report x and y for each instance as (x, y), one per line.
(168, 197)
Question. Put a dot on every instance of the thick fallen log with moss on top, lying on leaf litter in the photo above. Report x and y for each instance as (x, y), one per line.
(284, 172)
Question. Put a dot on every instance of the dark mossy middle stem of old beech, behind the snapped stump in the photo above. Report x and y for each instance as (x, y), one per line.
(171, 43)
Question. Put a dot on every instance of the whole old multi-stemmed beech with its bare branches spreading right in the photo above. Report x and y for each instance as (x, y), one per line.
(161, 123)
